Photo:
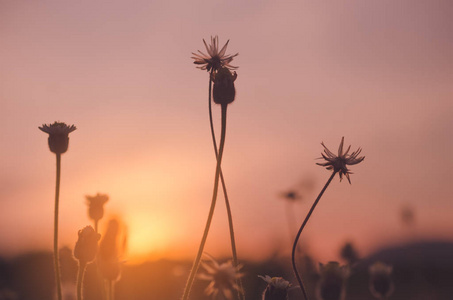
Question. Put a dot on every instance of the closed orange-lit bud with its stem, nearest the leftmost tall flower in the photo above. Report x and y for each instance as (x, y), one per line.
(85, 252)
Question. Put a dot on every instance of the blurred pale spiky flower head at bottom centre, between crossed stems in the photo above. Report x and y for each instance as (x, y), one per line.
(222, 278)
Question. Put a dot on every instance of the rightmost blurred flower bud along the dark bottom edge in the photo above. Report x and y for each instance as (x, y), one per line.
(381, 283)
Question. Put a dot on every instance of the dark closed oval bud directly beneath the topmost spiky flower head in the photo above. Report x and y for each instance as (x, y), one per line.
(223, 91)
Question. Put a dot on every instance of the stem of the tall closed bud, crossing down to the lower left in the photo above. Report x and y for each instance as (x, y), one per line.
(211, 210)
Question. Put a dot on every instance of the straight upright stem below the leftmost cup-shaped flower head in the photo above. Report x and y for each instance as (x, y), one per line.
(55, 234)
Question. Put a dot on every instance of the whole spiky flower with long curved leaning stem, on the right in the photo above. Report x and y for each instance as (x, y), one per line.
(338, 164)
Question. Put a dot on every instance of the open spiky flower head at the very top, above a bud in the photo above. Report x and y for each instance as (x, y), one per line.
(215, 59)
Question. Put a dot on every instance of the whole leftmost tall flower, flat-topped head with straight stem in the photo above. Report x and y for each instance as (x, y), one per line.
(58, 143)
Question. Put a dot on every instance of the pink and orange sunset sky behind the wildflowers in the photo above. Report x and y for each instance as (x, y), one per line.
(379, 73)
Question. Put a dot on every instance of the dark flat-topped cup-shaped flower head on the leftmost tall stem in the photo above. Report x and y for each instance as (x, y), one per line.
(58, 136)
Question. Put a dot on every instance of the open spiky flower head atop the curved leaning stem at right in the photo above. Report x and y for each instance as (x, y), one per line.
(338, 163)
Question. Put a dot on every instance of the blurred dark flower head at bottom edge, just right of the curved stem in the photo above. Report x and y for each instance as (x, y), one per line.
(332, 284)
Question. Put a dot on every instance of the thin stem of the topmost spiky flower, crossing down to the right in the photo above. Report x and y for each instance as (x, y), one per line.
(225, 194)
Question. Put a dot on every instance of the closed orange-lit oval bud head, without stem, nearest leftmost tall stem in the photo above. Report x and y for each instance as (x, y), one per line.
(87, 245)
